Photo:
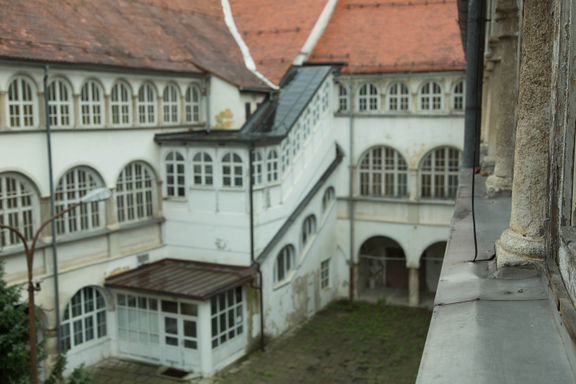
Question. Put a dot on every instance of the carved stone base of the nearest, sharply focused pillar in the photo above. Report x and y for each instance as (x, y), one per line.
(515, 249)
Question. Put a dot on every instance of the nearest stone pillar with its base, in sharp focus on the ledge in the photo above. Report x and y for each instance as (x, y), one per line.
(523, 241)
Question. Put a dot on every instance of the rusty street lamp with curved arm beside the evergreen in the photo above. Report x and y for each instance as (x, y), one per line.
(95, 195)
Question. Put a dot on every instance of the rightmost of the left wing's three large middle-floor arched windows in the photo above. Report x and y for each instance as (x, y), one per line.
(135, 193)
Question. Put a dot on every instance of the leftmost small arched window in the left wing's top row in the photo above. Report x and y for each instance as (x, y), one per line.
(22, 105)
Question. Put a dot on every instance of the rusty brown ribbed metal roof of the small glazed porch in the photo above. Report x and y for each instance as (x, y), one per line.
(189, 279)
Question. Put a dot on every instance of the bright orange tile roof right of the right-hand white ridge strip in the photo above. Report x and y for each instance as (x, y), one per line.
(375, 36)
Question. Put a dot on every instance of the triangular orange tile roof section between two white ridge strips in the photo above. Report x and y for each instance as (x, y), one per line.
(275, 31)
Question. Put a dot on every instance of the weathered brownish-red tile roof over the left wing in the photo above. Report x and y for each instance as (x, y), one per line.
(167, 35)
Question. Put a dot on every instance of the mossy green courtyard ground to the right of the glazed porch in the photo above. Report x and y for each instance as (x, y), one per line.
(345, 343)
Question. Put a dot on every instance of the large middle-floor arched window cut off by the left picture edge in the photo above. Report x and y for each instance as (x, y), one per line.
(19, 208)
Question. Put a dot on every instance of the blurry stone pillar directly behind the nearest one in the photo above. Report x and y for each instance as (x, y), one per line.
(504, 87)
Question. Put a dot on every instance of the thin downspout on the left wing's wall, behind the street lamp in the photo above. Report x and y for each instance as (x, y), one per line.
(52, 209)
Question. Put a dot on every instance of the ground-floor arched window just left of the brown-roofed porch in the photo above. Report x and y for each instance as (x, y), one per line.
(69, 320)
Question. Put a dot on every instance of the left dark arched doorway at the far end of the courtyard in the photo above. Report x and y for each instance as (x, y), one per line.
(382, 265)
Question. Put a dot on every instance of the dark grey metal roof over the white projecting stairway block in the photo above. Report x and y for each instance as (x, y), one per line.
(273, 119)
